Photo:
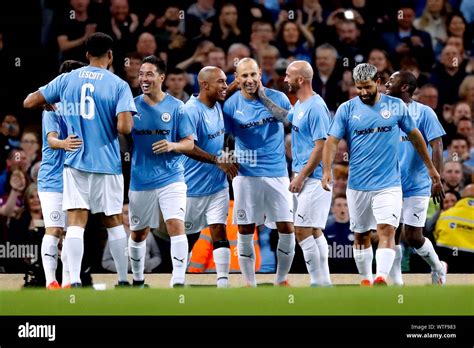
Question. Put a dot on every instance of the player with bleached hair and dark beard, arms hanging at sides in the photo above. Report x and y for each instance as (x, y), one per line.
(371, 125)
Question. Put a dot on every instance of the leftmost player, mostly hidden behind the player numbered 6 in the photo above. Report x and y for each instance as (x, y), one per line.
(50, 187)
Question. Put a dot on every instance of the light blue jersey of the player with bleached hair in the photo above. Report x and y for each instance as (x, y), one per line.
(373, 138)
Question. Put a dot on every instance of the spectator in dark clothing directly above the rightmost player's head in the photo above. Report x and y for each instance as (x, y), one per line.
(409, 41)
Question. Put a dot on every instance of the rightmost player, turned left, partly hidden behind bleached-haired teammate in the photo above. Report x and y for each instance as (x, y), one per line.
(416, 183)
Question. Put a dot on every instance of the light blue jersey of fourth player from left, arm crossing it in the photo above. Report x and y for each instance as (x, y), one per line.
(205, 179)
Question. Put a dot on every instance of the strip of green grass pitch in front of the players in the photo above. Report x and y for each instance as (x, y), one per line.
(264, 300)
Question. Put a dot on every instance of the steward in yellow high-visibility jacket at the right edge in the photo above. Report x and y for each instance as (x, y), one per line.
(454, 233)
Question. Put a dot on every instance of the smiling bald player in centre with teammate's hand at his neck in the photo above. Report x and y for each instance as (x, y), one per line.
(261, 188)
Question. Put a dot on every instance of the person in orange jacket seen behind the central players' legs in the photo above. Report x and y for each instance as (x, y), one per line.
(202, 260)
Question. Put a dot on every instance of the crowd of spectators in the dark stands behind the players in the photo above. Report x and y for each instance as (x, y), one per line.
(433, 39)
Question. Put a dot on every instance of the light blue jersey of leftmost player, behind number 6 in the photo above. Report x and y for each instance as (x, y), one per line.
(50, 175)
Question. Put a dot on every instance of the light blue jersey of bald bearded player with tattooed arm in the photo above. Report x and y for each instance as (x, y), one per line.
(309, 122)
